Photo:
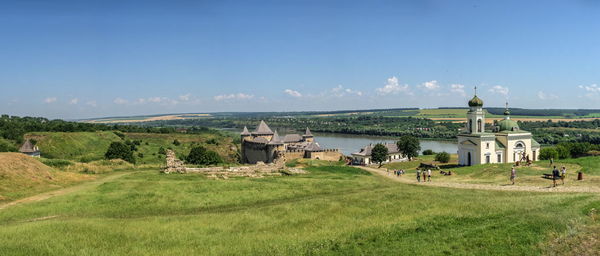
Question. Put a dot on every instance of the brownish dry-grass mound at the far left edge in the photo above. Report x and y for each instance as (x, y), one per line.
(21, 175)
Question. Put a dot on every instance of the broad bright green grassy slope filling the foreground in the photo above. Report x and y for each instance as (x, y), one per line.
(332, 210)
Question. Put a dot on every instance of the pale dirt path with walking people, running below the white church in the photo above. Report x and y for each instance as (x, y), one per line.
(408, 179)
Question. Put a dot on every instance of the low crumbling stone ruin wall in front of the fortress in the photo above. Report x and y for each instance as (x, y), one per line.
(258, 170)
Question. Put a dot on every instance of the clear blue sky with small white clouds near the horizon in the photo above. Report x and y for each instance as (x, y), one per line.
(77, 59)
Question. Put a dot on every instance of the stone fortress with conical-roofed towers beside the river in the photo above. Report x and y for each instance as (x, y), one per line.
(264, 145)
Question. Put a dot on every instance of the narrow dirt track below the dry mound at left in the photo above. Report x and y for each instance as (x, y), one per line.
(50, 194)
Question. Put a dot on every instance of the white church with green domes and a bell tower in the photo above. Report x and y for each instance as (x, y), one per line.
(506, 143)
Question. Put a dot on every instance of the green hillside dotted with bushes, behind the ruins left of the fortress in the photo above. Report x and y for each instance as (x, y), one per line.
(91, 146)
